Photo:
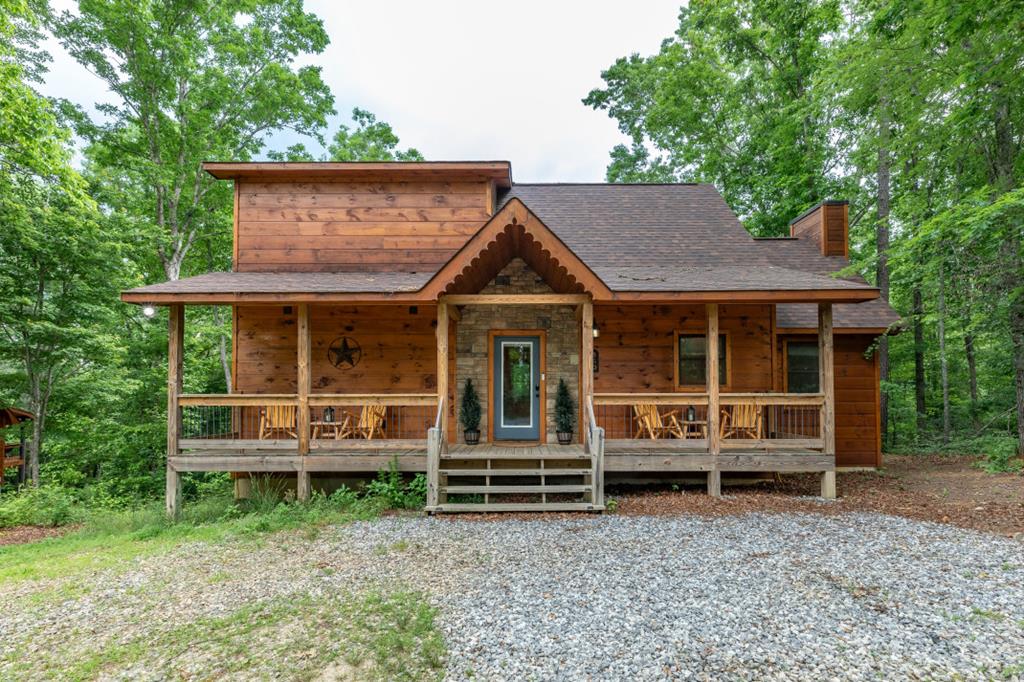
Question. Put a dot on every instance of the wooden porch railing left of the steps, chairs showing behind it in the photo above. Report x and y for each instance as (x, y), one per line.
(272, 421)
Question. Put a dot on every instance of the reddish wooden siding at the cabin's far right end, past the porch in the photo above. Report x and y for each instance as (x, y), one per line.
(858, 395)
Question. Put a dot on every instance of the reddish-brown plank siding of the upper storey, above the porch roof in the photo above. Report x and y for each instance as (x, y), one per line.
(319, 227)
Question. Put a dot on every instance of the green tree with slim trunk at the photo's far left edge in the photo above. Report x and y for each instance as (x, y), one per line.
(56, 262)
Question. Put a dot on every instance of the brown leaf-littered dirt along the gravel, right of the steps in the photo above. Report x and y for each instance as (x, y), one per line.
(932, 488)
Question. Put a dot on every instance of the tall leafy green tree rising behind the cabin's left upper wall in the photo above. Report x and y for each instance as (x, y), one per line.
(196, 80)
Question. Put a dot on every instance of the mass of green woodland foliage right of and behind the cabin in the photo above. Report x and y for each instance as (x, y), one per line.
(915, 111)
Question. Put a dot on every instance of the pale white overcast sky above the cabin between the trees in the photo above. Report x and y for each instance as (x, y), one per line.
(470, 80)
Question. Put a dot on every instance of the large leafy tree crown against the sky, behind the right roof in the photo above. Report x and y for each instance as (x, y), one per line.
(729, 100)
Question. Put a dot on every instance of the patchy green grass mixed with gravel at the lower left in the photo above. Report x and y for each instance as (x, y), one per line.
(160, 606)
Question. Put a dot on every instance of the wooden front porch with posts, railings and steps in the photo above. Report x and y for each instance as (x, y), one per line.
(307, 433)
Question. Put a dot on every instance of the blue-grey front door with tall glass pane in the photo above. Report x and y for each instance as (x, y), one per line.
(518, 389)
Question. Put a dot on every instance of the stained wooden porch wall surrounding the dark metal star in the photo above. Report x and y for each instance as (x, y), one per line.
(400, 351)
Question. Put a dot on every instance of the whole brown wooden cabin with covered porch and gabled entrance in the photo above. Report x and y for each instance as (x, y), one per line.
(365, 295)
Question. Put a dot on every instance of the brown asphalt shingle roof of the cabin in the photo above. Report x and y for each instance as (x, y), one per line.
(656, 238)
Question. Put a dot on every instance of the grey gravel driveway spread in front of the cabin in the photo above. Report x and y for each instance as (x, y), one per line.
(795, 596)
